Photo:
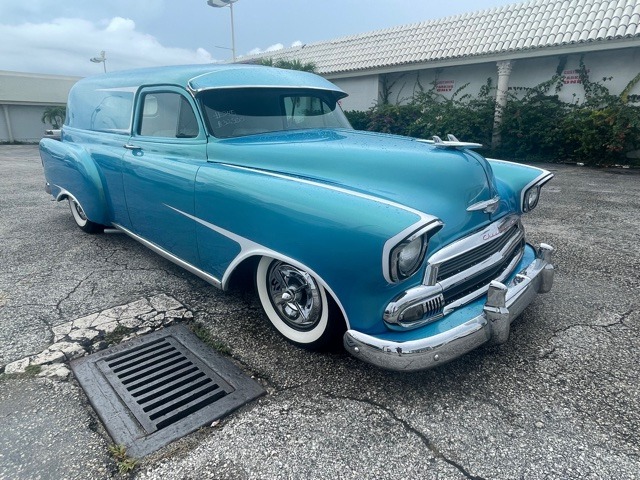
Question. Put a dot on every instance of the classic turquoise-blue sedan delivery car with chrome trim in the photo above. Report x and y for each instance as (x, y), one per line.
(412, 252)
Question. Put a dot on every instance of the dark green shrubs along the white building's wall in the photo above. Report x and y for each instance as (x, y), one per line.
(536, 126)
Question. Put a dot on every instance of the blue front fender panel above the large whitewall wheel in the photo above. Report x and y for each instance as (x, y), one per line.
(338, 234)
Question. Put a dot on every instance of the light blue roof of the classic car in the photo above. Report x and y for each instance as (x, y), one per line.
(211, 76)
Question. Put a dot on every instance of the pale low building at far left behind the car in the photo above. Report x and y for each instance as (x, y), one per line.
(23, 99)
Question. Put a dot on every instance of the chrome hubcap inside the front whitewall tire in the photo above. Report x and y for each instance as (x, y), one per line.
(295, 296)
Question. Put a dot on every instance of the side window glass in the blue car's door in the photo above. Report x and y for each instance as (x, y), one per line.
(167, 114)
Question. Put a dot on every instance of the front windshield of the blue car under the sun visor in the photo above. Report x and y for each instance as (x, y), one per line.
(247, 111)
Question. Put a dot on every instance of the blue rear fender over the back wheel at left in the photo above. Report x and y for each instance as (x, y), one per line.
(70, 171)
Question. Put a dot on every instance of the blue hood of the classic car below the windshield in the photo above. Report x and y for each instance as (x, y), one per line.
(440, 182)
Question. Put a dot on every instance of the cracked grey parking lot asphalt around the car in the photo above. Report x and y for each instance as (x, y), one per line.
(561, 399)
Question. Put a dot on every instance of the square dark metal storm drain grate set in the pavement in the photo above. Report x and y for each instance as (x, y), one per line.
(157, 388)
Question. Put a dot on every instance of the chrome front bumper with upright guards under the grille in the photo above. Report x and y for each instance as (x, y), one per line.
(504, 303)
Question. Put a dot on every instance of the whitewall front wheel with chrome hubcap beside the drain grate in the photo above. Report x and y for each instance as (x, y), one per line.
(297, 305)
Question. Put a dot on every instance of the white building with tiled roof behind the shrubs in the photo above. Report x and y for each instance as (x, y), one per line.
(518, 45)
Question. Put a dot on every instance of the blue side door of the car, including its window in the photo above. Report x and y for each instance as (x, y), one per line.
(164, 153)
